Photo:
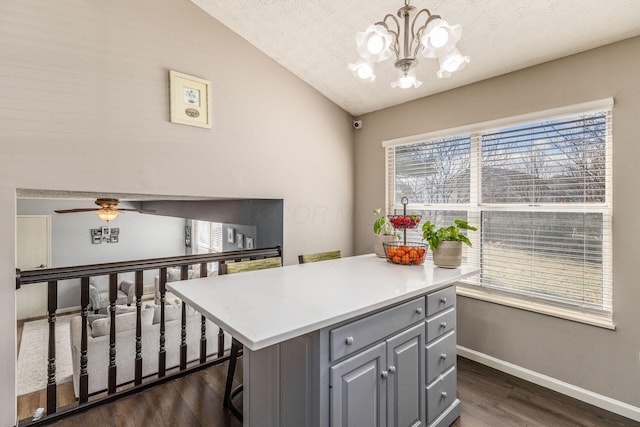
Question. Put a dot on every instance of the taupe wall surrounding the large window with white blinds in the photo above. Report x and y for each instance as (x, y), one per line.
(603, 361)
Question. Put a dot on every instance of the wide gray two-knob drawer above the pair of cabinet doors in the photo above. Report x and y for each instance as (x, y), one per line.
(359, 334)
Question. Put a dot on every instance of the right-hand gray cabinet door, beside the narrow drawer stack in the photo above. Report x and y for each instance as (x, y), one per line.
(406, 381)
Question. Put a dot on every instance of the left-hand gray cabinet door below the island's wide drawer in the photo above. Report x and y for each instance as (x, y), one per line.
(358, 390)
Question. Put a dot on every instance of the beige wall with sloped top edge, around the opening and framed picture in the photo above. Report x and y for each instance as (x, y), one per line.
(85, 107)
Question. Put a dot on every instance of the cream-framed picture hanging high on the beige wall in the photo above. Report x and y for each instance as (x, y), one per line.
(190, 99)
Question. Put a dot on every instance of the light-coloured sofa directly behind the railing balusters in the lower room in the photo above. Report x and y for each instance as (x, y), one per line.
(98, 343)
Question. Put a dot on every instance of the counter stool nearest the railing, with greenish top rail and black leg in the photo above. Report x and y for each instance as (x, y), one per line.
(236, 346)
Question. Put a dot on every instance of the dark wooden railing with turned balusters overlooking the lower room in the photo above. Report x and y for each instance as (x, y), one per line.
(53, 275)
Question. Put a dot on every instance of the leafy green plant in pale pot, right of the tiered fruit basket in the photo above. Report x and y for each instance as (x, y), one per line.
(446, 242)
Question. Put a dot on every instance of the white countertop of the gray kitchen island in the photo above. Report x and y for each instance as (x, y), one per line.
(266, 307)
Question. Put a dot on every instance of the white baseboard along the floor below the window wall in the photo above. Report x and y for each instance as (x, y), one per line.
(595, 399)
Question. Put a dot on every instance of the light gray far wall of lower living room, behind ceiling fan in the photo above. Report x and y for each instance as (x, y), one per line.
(141, 236)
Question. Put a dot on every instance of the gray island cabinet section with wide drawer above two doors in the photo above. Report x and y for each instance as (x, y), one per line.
(383, 385)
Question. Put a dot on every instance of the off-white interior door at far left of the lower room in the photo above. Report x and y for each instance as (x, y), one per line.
(33, 250)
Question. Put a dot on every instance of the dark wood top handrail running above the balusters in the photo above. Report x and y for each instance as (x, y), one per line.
(65, 273)
